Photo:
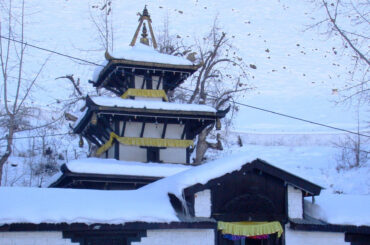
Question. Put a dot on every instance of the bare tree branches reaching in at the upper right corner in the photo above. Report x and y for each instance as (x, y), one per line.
(350, 20)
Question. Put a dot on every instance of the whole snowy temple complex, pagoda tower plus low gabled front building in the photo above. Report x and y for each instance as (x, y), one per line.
(140, 189)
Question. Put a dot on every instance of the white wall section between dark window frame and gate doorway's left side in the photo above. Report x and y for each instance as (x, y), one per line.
(178, 236)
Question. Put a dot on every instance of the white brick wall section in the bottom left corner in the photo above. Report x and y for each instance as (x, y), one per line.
(33, 238)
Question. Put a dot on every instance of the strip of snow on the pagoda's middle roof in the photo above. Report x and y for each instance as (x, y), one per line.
(149, 104)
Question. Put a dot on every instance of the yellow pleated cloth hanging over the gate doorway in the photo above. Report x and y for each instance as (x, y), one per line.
(251, 228)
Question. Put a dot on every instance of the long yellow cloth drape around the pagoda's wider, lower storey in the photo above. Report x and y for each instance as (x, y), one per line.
(155, 142)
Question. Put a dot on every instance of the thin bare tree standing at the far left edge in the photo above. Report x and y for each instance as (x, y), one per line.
(16, 89)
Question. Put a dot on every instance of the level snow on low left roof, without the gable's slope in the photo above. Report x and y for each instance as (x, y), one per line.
(56, 205)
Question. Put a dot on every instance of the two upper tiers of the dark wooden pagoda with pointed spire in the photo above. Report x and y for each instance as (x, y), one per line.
(139, 123)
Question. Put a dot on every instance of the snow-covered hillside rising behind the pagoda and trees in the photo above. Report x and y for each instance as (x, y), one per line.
(296, 72)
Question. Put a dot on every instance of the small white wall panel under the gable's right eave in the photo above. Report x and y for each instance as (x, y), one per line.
(295, 203)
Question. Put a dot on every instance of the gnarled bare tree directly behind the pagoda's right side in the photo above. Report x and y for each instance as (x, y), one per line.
(218, 82)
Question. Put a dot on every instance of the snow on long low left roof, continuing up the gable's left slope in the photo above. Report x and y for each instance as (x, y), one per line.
(148, 204)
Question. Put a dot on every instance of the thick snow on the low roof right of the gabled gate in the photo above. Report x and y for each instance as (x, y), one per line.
(339, 209)
